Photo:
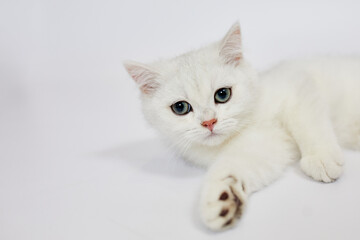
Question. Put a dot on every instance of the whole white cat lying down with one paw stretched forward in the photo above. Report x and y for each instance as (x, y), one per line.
(218, 113)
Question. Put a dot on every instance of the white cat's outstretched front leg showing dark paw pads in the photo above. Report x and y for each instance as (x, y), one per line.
(247, 165)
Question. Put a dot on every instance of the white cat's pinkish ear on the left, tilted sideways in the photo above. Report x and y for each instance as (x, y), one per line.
(143, 75)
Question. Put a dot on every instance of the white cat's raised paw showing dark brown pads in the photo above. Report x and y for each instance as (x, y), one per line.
(222, 203)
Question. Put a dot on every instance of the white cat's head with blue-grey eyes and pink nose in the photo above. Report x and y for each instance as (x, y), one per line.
(203, 97)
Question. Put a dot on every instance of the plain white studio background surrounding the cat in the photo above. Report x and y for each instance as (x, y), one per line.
(77, 160)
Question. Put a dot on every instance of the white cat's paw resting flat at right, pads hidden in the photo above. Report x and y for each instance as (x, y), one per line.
(325, 169)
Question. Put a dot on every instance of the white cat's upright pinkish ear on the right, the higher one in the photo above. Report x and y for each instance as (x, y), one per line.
(230, 48)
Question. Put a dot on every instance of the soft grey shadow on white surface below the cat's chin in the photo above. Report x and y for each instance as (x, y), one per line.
(152, 156)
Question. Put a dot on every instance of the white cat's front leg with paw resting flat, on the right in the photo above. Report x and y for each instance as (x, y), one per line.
(309, 123)
